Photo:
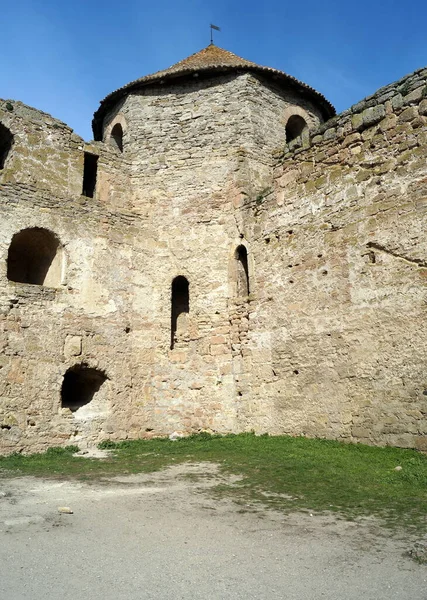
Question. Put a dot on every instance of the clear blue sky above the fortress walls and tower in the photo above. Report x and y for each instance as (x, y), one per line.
(64, 57)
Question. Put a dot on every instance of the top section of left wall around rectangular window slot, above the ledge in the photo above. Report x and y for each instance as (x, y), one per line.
(47, 156)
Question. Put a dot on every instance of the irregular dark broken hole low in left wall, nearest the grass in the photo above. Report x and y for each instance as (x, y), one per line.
(80, 385)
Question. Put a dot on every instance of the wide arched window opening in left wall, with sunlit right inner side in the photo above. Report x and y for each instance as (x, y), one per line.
(35, 256)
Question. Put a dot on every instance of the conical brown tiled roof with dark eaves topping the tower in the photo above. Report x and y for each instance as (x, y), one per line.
(211, 59)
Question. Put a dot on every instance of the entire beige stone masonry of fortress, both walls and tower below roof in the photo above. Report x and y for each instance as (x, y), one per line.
(327, 341)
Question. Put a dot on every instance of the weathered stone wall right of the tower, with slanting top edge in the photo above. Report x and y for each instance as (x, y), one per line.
(341, 265)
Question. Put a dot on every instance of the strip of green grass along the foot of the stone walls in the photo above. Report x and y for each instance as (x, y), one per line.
(285, 473)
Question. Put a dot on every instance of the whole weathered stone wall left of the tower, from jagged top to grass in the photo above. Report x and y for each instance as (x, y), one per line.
(76, 317)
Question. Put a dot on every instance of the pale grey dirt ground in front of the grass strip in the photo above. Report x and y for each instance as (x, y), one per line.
(164, 535)
